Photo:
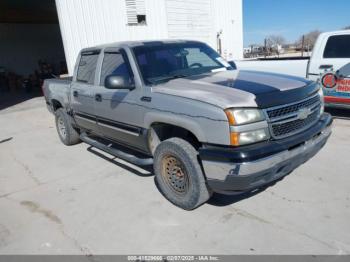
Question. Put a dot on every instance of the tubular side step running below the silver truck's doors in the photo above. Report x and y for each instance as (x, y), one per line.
(116, 152)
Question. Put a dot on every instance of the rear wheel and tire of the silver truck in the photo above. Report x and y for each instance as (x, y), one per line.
(68, 135)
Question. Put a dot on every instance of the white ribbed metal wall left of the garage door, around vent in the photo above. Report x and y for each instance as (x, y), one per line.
(87, 23)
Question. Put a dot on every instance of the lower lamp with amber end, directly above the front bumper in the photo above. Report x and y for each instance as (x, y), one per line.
(249, 137)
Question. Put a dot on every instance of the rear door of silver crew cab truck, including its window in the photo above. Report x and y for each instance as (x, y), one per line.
(83, 91)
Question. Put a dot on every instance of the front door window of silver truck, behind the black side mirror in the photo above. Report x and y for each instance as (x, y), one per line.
(115, 64)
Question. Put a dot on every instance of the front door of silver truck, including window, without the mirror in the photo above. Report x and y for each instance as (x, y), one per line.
(118, 112)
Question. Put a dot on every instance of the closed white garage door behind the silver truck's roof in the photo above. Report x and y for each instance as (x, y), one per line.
(189, 19)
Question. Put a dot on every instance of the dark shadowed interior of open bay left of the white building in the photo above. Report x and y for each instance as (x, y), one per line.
(21, 45)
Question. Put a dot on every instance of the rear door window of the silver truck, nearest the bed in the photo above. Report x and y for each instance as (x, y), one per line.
(87, 68)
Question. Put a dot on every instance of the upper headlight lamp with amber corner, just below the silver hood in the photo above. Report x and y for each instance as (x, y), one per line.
(244, 116)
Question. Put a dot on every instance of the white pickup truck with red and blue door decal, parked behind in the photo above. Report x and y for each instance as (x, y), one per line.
(329, 55)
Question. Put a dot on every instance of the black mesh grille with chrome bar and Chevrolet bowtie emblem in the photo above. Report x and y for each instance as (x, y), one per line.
(289, 119)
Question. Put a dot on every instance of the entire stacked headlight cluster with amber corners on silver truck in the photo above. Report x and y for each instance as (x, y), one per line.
(247, 126)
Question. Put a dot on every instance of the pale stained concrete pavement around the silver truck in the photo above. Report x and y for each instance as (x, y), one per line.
(71, 200)
